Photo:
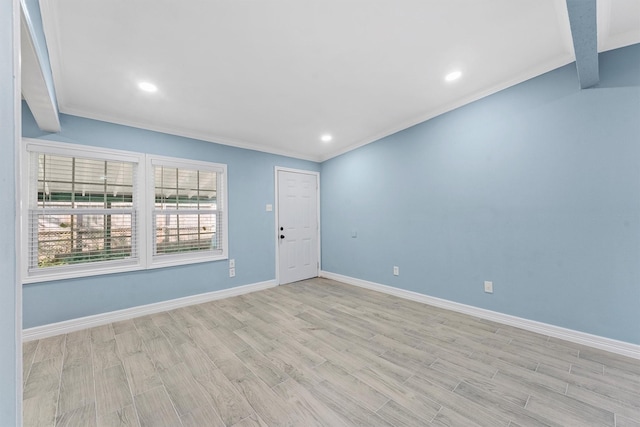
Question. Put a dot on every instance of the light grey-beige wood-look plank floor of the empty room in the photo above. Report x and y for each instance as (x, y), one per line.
(321, 353)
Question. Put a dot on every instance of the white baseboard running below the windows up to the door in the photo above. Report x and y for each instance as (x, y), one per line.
(72, 325)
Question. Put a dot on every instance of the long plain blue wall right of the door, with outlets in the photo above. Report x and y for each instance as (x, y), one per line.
(536, 188)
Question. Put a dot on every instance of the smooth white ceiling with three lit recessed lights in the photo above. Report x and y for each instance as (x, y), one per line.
(275, 75)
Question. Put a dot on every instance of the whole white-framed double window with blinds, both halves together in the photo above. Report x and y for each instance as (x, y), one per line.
(92, 211)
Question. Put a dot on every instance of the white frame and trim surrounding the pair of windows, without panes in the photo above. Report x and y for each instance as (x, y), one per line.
(145, 192)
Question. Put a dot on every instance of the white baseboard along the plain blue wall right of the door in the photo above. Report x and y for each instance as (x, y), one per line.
(595, 341)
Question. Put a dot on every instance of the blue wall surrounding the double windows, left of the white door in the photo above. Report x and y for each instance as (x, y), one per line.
(251, 228)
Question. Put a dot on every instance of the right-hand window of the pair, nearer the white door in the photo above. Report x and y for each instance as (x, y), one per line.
(188, 210)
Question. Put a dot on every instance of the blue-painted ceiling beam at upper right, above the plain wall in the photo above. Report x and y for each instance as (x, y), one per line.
(582, 18)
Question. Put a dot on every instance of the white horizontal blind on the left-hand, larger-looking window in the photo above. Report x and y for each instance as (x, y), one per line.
(82, 210)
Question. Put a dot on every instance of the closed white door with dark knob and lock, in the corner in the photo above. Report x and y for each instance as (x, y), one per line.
(297, 226)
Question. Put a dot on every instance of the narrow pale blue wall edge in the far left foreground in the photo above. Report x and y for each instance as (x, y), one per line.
(10, 350)
